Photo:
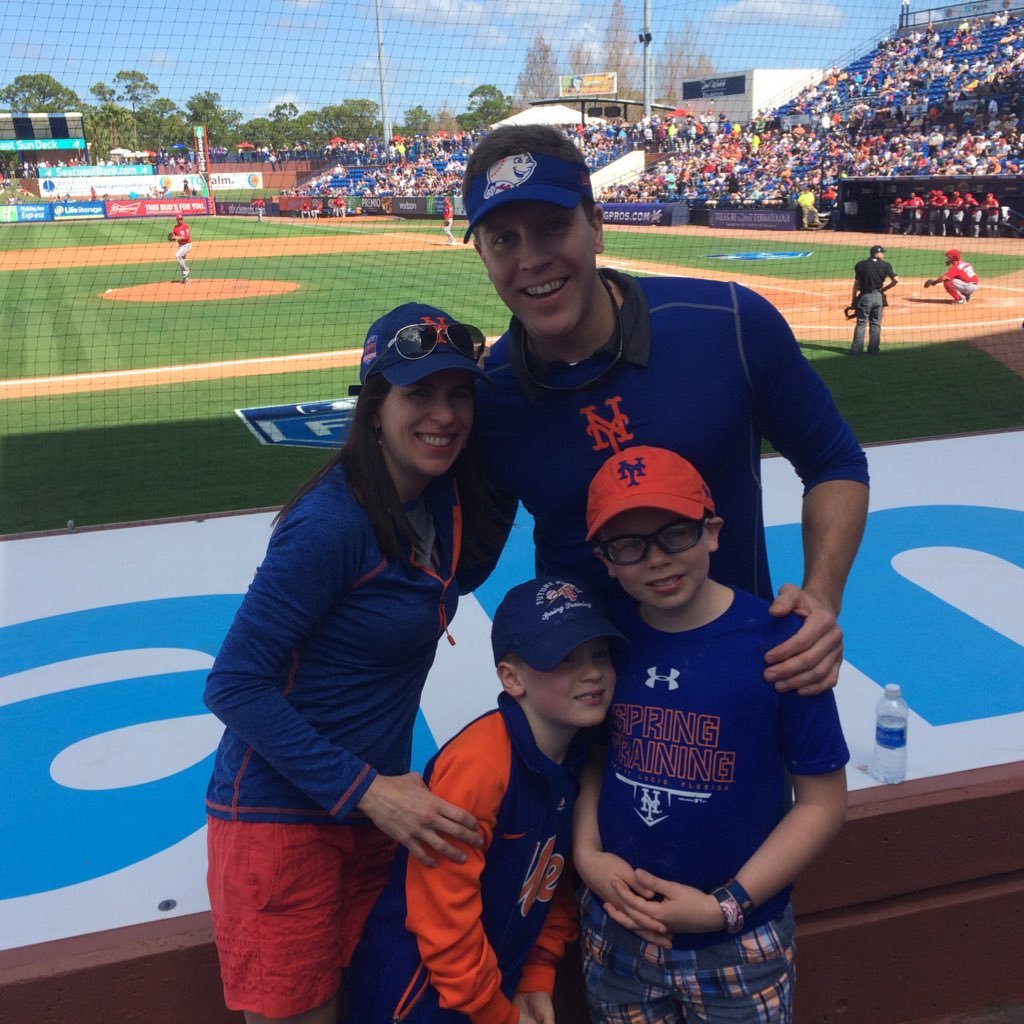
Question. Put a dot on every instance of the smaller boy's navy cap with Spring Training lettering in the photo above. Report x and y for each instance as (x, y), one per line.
(544, 620)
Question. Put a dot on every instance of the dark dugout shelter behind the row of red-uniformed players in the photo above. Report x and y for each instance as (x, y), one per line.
(865, 201)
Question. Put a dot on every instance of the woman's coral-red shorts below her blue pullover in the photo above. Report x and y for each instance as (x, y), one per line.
(289, 904)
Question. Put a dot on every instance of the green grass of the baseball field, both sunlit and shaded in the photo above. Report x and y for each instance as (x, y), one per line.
(180, 450)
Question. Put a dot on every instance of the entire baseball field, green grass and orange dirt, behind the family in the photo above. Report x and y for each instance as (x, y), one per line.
(119, 386)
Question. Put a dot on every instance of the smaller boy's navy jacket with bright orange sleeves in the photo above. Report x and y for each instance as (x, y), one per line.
(456, 943)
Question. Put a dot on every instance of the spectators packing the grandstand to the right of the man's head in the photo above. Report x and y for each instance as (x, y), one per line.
(924, 105)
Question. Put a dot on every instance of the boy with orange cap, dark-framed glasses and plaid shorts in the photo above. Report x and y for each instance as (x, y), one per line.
(685, 843)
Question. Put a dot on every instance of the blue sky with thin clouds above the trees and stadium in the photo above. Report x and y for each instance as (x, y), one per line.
(315, 53)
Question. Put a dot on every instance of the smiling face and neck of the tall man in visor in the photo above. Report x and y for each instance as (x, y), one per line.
(542, 262)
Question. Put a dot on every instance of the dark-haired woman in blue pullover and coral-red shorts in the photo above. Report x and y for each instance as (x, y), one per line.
(320, 676)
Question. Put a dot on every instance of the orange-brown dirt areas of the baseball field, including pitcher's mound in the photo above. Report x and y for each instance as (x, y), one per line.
(992, 321)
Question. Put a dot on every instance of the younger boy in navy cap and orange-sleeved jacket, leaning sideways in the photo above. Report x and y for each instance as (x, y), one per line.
(480, 942)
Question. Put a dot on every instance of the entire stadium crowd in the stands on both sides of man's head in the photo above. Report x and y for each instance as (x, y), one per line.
(934, 102)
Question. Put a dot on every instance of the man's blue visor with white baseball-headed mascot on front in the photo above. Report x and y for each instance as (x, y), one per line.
(527, 177)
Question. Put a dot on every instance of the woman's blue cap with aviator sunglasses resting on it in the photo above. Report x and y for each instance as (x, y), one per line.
(381, 354)
